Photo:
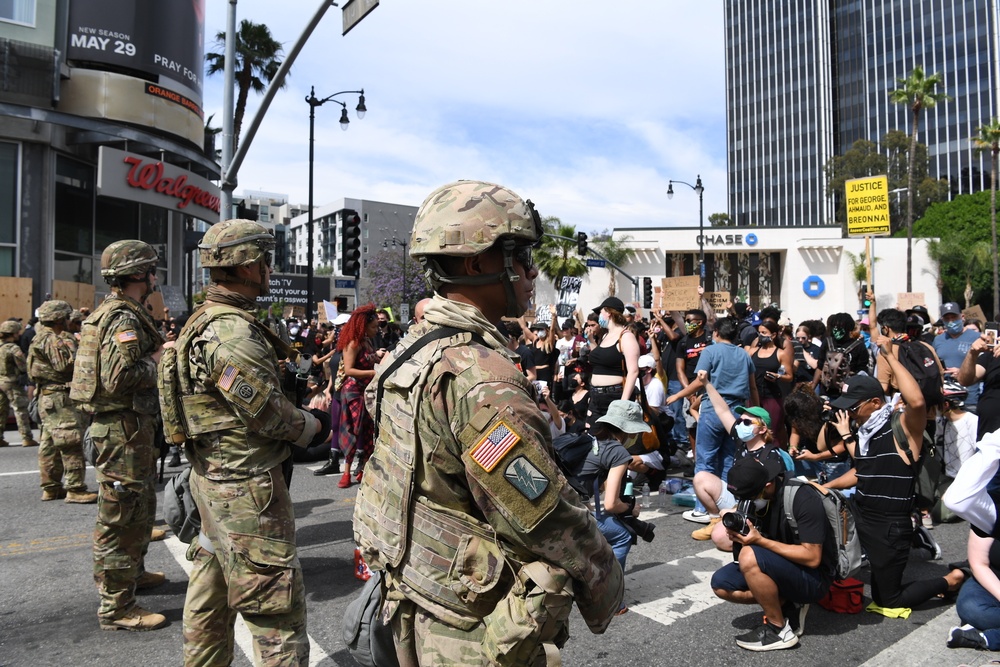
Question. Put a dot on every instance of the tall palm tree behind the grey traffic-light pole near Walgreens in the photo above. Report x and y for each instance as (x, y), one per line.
(257, 62)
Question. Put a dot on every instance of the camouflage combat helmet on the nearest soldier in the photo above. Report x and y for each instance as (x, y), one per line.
(467, 217)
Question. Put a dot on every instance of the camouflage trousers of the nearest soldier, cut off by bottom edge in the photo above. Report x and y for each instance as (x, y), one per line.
(421, 639)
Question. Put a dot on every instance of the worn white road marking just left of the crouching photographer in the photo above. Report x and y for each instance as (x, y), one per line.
(679, 603)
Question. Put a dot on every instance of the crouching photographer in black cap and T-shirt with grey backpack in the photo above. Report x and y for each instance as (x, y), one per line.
(771, 564)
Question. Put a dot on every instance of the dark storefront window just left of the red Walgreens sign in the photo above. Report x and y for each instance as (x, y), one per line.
(74, 206)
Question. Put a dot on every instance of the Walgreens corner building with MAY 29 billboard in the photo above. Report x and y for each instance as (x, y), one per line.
(101, 138)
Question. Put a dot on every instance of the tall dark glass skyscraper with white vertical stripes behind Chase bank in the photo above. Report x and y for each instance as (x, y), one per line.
(806, 79)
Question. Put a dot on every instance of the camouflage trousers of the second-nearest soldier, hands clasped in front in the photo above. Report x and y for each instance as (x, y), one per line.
(255, 571)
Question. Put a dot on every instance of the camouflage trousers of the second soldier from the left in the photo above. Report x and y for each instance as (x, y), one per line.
(60, 452)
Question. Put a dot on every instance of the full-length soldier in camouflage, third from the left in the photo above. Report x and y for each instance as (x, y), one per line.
(115, 381)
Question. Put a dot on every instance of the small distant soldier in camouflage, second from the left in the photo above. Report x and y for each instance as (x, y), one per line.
(50, 366)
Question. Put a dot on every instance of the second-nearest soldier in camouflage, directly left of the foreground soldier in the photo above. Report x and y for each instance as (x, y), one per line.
(238, 424)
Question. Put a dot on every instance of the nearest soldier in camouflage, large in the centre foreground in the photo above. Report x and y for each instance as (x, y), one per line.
(484, 544)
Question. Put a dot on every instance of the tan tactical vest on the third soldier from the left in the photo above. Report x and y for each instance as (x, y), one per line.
(86, 384)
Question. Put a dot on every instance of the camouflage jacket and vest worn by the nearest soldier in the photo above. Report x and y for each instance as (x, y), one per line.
(481, 454)
